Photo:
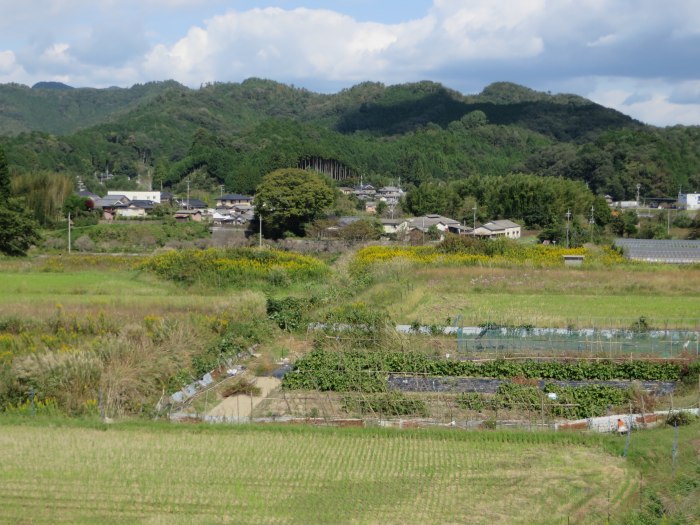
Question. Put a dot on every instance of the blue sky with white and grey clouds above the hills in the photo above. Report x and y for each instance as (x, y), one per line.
(641, 57)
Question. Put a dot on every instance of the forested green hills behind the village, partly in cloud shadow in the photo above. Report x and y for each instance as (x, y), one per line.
(232, 134)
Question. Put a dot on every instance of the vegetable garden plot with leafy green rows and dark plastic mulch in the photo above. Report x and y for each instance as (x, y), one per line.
(386, 384)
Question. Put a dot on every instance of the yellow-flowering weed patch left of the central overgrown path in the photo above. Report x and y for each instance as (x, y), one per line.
(234, 266)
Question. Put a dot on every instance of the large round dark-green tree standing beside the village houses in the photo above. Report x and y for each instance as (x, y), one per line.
(287, 199)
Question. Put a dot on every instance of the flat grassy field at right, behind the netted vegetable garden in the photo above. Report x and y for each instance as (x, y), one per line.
(548, 297)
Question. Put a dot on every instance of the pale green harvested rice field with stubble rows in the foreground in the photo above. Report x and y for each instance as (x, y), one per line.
(71, 474)
